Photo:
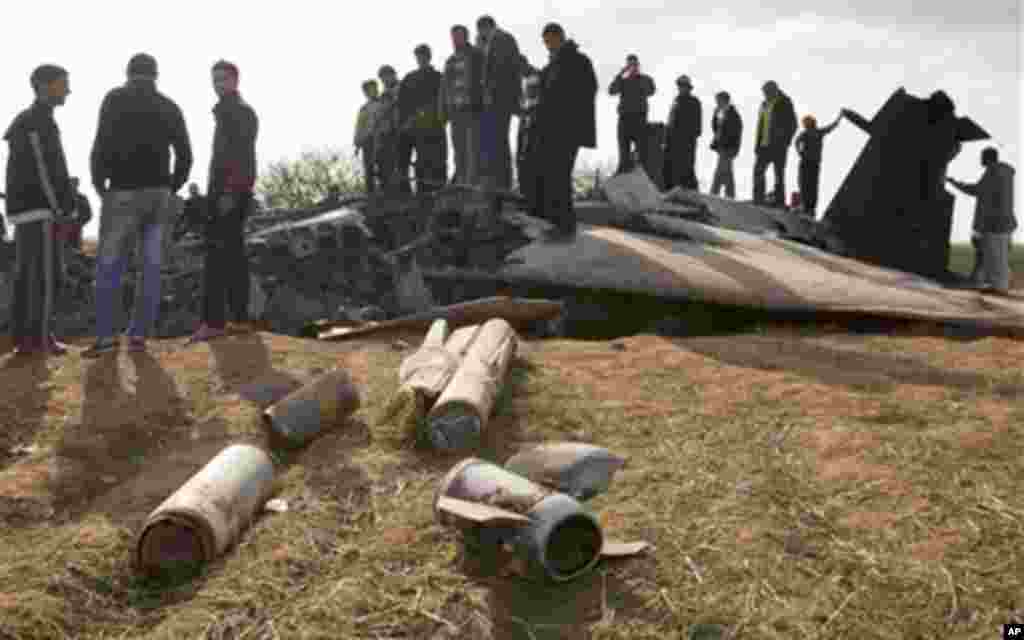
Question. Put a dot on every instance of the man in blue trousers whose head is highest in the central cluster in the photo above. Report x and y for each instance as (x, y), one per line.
(501, 81)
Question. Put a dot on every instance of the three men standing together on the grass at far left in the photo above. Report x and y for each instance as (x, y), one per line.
(133, 174)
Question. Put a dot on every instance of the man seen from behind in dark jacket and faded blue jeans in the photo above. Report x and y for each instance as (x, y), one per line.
(139, 126)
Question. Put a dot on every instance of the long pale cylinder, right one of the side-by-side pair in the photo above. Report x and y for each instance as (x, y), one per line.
(462, 412)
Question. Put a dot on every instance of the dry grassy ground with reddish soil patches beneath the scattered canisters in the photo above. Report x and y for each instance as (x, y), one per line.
(794, 485)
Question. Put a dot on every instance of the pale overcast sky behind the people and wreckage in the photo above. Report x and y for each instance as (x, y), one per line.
(303, 64)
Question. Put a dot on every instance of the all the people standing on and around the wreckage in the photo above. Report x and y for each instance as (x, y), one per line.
(473, 100)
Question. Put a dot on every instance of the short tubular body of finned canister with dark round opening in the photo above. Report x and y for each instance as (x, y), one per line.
(563, 541)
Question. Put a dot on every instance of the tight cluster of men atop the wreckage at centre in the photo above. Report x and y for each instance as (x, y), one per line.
(472, 101)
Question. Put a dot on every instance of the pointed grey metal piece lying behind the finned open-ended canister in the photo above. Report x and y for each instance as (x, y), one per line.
(575, 468)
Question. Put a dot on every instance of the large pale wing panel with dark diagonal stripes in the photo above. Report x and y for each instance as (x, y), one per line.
(733, 268)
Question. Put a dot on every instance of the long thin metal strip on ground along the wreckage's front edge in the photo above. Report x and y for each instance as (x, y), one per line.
(518, 312)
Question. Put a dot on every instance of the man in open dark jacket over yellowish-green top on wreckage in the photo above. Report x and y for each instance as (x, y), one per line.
(777, 126)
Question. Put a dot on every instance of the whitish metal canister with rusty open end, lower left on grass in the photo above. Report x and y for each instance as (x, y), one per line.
(208, 514)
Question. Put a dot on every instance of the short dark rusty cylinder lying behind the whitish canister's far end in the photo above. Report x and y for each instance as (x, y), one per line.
(303, 415)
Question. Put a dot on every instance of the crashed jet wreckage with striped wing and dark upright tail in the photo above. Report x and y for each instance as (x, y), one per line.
(347, 269)
